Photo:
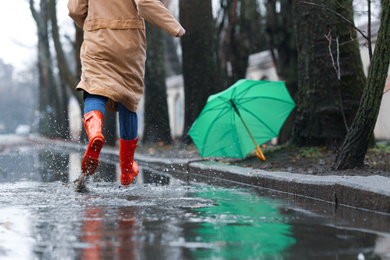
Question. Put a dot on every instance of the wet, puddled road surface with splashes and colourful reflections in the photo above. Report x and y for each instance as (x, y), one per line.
(161, 217)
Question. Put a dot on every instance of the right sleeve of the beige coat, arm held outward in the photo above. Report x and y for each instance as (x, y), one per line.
(157, 14)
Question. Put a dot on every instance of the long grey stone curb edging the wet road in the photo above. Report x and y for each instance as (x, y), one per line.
(369, 193)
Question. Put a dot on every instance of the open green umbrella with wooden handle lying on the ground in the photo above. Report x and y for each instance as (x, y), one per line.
(222, 128)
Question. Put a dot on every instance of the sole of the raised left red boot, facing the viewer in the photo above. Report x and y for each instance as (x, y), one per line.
(90, 161)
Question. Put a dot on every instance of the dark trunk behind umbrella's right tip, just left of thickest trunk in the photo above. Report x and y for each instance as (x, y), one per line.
(280, 30)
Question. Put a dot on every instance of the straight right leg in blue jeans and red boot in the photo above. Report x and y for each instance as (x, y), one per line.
(128, 125)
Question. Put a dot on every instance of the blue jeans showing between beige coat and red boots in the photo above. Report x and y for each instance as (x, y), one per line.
(128, 120)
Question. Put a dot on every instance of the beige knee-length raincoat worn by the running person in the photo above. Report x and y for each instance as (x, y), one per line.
(114, 50)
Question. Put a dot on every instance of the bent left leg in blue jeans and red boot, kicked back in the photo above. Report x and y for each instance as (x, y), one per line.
(94, 107)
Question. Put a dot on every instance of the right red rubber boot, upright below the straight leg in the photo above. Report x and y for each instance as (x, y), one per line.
(129, 168)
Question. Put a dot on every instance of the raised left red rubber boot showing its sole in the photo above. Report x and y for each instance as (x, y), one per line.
(93, 124)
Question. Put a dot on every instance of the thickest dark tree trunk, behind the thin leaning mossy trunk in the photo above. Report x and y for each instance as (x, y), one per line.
(330, 82)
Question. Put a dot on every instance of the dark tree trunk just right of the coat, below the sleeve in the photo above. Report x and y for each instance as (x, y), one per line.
(156, 118)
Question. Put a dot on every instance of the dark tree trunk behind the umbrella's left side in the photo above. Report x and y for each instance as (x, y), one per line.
(199, 63)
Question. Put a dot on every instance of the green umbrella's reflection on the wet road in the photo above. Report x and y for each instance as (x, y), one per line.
(241, 225)
